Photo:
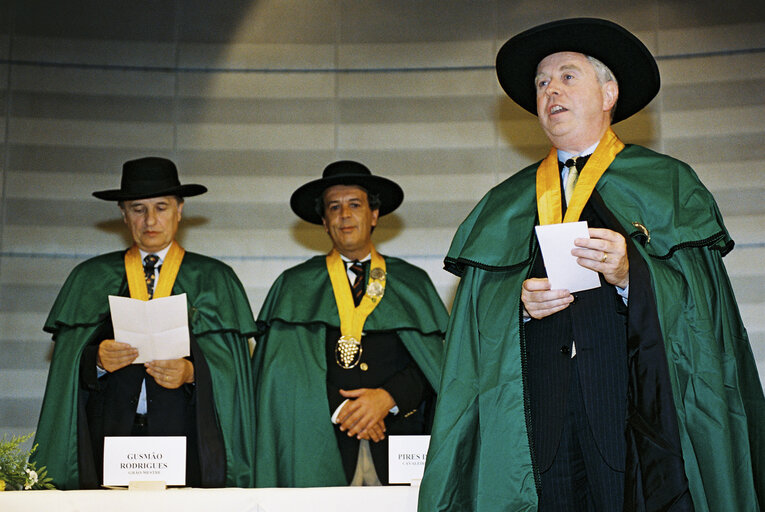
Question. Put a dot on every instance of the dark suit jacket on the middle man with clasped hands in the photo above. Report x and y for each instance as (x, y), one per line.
(389, 366)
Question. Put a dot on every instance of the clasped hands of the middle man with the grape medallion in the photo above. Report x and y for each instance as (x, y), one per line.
(363, 414)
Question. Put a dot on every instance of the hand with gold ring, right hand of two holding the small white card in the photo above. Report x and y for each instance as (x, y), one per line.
(605, 252)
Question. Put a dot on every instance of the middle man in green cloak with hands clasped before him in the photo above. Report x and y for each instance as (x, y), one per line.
(349, 349)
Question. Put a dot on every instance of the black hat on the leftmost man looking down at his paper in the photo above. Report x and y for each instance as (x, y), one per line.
(149, 177)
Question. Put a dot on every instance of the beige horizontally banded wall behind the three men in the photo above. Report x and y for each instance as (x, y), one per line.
(253, 98)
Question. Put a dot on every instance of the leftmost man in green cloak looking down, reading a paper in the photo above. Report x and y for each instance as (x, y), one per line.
(93, 388)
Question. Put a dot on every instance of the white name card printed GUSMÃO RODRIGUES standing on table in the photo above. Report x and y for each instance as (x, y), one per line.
(145, 458)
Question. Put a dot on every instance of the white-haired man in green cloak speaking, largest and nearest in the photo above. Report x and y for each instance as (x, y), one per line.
(638, 394)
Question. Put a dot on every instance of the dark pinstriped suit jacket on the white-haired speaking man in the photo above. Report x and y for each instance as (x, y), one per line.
(596, 321)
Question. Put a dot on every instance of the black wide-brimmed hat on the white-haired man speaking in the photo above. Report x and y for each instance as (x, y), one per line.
(628, 59)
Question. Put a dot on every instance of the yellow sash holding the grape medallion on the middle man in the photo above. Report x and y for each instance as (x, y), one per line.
(352, 318)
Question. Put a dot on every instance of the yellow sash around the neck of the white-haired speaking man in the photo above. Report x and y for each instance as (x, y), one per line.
(549, 202)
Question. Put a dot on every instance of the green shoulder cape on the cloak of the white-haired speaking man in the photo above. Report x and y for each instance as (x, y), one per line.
(678, 213)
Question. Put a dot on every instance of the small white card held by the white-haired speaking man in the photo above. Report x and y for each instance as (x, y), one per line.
(564, 273)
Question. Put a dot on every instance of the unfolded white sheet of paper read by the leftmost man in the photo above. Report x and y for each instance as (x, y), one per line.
(158, 328)
